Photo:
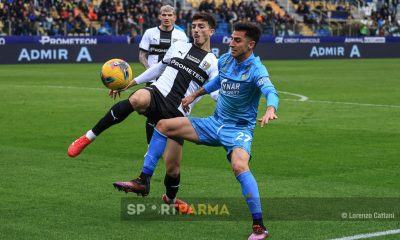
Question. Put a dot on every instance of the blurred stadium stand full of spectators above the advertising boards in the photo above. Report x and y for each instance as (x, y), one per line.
(133, 17)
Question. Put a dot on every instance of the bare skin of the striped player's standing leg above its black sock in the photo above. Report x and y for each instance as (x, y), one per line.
(172, 157)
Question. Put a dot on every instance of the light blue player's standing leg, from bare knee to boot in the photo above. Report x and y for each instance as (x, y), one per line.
(239, 161)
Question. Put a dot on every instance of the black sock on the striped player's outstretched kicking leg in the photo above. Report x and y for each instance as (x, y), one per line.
(117, 114)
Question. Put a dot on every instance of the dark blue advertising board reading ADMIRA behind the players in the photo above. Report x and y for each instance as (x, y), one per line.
(39, 53)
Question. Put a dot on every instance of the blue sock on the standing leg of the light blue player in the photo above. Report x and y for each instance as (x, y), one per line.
(251, 194)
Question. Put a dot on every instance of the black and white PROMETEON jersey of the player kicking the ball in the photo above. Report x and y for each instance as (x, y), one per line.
(188, 68)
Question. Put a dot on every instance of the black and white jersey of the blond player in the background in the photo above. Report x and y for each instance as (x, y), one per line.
(157, 42)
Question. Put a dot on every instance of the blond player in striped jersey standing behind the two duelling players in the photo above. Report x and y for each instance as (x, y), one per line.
(155, 43)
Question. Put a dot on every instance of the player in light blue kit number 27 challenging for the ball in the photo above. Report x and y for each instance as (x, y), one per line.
(242, 79)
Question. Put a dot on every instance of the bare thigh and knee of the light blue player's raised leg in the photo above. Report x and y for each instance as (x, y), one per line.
(178, 127)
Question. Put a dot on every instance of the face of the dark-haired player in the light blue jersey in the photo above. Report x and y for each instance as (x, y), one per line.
(241, 46)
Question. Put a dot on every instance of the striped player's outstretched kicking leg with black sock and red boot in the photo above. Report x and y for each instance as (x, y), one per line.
(138, 101)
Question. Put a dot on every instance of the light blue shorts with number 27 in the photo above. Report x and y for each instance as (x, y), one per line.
(211, 132)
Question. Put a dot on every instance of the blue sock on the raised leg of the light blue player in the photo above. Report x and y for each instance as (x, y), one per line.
(154, 153)
